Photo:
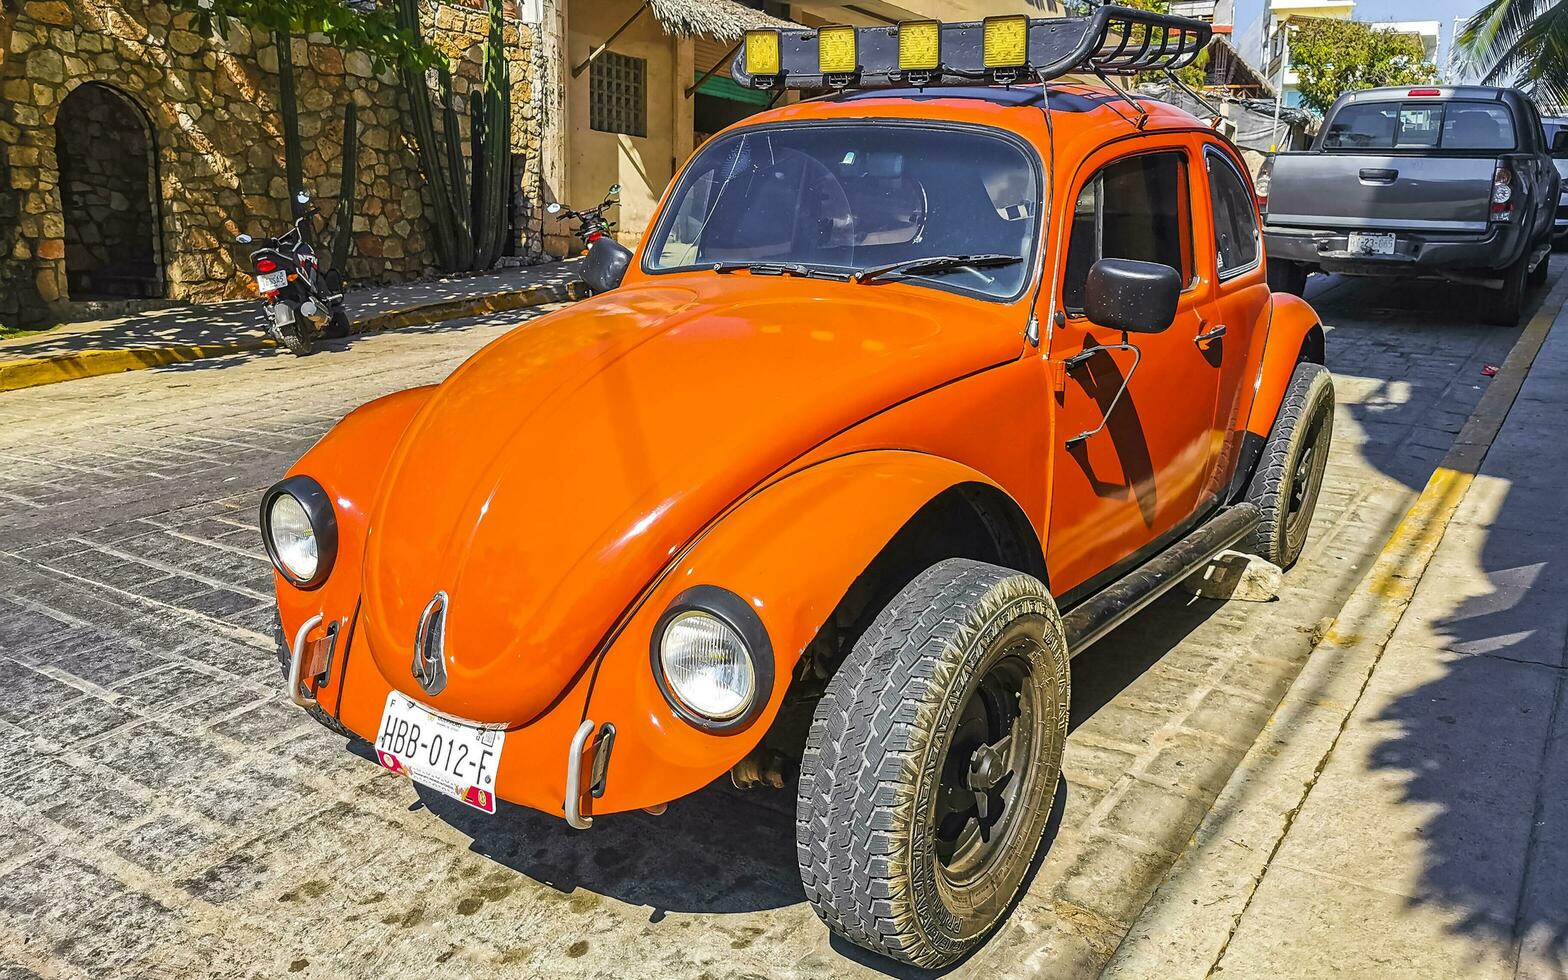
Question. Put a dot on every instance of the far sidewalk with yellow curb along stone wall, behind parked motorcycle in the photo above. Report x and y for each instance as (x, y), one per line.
(186, 333)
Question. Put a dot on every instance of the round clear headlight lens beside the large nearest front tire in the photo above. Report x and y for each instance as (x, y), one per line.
(708, 666)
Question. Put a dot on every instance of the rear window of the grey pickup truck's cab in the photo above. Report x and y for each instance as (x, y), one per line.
(1443, 126)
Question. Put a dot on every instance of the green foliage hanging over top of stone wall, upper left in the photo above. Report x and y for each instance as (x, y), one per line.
(376, 32)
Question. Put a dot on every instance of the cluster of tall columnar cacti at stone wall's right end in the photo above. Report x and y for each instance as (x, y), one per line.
(468, 211)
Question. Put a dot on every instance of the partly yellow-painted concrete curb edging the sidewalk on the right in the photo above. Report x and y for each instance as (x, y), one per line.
(1189, 921)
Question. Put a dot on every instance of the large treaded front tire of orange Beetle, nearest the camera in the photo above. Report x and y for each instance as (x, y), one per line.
(866, 826)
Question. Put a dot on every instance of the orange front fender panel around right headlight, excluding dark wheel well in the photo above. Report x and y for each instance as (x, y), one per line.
(791, 553)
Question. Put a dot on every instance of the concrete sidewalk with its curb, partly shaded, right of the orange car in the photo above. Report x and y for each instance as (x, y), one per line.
(1407, 810)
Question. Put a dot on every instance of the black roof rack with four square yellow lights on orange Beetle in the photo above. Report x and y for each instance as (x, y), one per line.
(1003, 51)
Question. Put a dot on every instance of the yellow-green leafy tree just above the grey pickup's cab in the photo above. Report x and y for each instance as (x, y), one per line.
(1337, 57)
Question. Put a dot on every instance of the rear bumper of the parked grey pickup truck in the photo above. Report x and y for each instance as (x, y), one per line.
(1415, 253)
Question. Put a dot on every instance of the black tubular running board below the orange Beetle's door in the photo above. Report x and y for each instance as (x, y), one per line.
(1109, 608)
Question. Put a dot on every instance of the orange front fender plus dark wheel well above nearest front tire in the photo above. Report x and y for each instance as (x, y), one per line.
(816, 556)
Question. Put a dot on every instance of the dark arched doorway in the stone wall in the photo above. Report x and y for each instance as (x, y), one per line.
(109, 194)
